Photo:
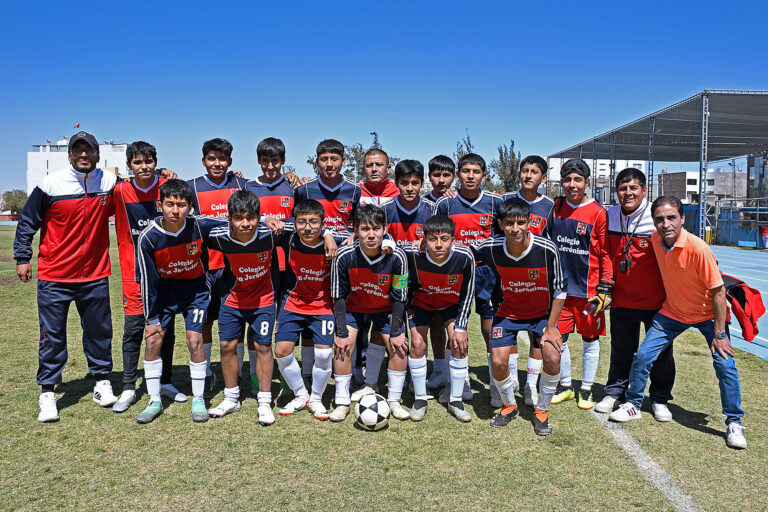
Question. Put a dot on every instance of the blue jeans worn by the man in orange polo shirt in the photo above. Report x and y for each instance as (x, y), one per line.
(662, 333)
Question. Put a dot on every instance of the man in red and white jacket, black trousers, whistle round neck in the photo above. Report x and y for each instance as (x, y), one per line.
(638, 293)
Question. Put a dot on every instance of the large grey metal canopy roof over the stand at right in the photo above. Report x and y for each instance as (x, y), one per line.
(738, 125)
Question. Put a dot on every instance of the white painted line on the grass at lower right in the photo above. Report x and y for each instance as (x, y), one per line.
(649, 468)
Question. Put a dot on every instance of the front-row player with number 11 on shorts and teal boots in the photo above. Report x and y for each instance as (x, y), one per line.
(172, 259)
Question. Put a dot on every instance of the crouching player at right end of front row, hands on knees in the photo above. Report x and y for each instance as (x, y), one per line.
(529, 294)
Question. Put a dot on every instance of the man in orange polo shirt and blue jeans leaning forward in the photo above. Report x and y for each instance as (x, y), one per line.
(695, 298)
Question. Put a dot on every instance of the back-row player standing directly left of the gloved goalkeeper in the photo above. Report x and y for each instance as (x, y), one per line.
(532, 173)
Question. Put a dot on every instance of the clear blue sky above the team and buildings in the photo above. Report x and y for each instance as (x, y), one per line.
(547, 75)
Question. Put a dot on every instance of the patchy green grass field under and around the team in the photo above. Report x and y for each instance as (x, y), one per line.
(94, 459)
